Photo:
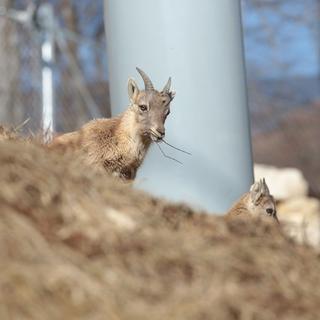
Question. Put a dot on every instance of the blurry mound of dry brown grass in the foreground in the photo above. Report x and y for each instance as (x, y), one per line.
(76, 244)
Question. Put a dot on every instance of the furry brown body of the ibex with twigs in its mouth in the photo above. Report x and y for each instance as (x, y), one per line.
(114, 144)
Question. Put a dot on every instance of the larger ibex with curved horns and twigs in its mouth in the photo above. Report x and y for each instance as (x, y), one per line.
(120, 144)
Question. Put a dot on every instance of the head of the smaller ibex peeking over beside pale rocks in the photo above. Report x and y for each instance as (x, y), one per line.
(261, 201)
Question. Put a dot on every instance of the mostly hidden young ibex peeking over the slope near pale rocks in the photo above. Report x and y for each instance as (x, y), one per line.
(258, 202)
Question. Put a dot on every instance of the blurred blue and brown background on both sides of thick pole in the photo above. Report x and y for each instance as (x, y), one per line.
(282, 48)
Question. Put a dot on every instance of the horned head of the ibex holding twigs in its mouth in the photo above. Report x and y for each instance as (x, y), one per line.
(151, 106)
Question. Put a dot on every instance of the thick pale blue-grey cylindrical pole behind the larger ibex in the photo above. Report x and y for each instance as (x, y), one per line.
(199, 44)
